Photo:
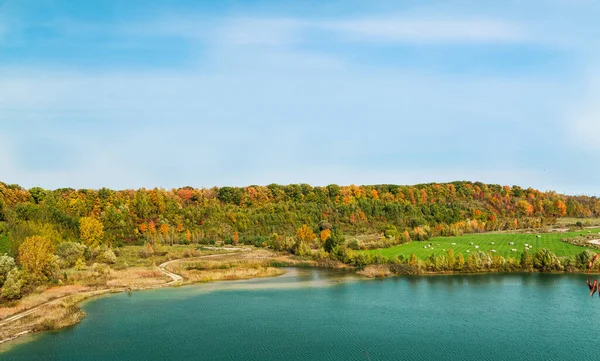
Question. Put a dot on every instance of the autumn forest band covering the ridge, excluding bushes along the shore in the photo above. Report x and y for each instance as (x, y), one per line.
(261, 215)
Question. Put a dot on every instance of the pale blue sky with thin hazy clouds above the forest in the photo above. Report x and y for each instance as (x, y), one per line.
(129, 94)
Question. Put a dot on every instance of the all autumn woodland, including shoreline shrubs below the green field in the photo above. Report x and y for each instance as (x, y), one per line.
(42, 231)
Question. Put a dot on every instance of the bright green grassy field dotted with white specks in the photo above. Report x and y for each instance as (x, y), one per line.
(551, 241)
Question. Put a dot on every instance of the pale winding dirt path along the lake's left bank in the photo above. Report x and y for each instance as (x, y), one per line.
(175, 278)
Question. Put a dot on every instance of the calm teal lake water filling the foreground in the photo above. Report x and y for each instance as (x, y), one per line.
(316, 315)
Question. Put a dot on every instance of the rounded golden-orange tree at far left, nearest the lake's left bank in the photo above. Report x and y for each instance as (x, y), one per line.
(35, 255)
